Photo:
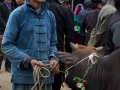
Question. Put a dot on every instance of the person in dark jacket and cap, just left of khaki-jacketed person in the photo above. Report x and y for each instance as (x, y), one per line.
(90, 20)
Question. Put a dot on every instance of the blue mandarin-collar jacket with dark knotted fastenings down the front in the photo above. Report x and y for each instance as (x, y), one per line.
(32, 34)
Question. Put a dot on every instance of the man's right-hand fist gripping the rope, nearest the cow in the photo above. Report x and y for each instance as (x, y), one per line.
(54, 66)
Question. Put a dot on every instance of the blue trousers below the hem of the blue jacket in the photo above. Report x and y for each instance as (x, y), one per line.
(16, 86)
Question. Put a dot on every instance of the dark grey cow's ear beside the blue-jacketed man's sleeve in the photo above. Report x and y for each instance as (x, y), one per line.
(64, 57)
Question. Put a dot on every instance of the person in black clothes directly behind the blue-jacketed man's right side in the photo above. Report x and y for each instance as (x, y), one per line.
(65, 34)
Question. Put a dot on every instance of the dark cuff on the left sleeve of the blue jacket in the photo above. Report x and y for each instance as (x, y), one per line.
(26, 63)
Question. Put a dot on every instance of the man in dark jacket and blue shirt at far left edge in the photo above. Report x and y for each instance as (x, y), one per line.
(6, 7)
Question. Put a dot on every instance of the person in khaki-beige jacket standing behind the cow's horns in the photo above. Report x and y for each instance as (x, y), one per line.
(98, 34)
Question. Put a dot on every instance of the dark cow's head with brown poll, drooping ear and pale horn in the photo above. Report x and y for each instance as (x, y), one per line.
(79, 52)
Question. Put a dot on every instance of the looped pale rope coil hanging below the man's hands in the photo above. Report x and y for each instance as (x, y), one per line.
(40, 72)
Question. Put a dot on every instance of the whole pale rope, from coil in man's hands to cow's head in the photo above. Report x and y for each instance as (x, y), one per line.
(37, 72)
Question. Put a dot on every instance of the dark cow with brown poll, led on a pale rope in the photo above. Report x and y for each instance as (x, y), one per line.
(104, 74)
